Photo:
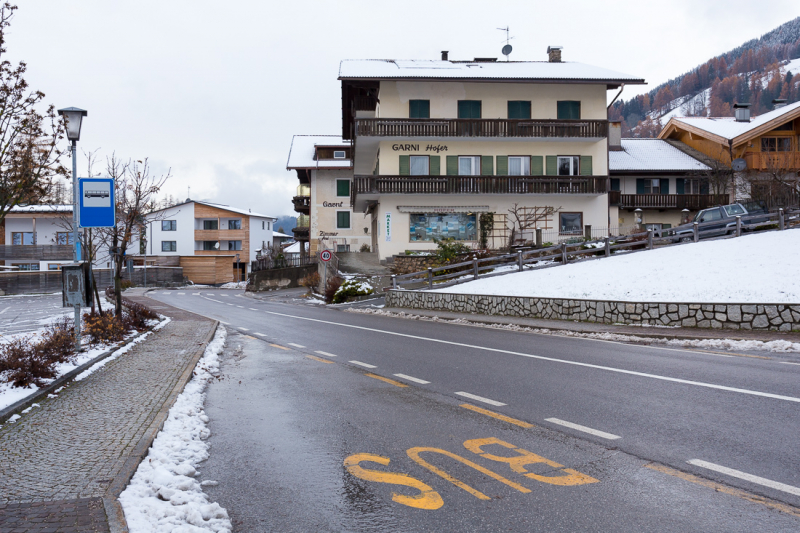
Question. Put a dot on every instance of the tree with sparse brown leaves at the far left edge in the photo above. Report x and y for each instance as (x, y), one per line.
(29, 154)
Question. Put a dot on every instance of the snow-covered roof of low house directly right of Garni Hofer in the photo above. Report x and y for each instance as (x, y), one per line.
(651, 154)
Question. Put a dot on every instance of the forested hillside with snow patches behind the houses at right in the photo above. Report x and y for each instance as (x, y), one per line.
(757, 72)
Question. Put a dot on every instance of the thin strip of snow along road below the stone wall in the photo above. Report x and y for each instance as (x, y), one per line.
(778, 346)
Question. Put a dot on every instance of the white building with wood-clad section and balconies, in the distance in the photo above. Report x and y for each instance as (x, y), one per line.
(214, 243)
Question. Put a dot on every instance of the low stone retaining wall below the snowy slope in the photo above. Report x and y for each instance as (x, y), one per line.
(782, 317)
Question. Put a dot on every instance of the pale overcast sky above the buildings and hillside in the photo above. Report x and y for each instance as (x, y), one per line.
(215, 90)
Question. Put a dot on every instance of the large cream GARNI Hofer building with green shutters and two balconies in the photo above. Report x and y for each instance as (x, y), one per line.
(436, 144)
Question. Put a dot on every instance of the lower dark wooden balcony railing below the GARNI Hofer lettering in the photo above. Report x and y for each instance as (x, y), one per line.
(479, 185)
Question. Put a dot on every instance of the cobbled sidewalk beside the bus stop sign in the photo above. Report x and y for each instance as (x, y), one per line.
(63, 464)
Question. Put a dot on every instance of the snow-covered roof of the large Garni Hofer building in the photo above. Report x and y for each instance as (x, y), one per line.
(530, 70)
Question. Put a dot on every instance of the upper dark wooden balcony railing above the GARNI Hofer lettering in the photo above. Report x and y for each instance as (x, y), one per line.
(457, 127)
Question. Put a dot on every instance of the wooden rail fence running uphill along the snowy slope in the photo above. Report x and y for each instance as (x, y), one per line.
(453, 274)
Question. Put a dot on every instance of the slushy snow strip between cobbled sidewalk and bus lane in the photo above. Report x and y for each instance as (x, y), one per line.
(163, 495)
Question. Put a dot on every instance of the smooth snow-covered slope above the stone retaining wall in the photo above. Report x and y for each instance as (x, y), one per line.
(760, 268)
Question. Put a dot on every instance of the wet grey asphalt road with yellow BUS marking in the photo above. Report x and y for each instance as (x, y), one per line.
(314, 401)
